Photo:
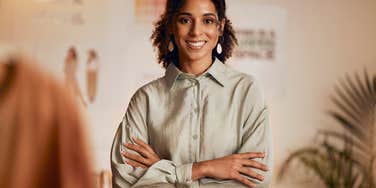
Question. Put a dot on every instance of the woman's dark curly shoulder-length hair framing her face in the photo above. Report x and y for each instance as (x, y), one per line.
(161, 35)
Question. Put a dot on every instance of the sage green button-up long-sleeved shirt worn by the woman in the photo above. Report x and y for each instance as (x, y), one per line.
(187, 119)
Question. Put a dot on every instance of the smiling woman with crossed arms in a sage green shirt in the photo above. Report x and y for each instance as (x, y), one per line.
(201, 121)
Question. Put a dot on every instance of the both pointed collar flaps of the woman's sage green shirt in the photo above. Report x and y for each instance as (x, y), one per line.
(216, 72)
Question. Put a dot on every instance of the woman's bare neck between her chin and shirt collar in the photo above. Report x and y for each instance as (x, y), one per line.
(195, 67)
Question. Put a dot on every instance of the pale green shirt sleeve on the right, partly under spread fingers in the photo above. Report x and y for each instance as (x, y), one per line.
(256, 135)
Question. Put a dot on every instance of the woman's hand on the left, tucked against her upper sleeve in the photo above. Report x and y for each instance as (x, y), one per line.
(147, 155)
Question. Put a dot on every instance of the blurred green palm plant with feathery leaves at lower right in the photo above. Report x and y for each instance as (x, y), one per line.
(344, 159)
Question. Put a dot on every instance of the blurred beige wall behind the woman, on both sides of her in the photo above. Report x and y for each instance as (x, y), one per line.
(322, 40)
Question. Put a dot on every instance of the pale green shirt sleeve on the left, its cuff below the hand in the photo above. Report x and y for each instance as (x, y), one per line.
(166, 172)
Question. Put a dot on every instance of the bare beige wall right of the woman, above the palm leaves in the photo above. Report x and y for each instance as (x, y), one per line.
(324, 40)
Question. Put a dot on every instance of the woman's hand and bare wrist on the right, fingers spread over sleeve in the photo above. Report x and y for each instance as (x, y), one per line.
(231, 167)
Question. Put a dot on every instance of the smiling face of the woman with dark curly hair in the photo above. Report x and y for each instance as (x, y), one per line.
(196, 30)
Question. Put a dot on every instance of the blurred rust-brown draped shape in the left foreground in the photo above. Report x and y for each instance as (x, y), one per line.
(42, 141)
